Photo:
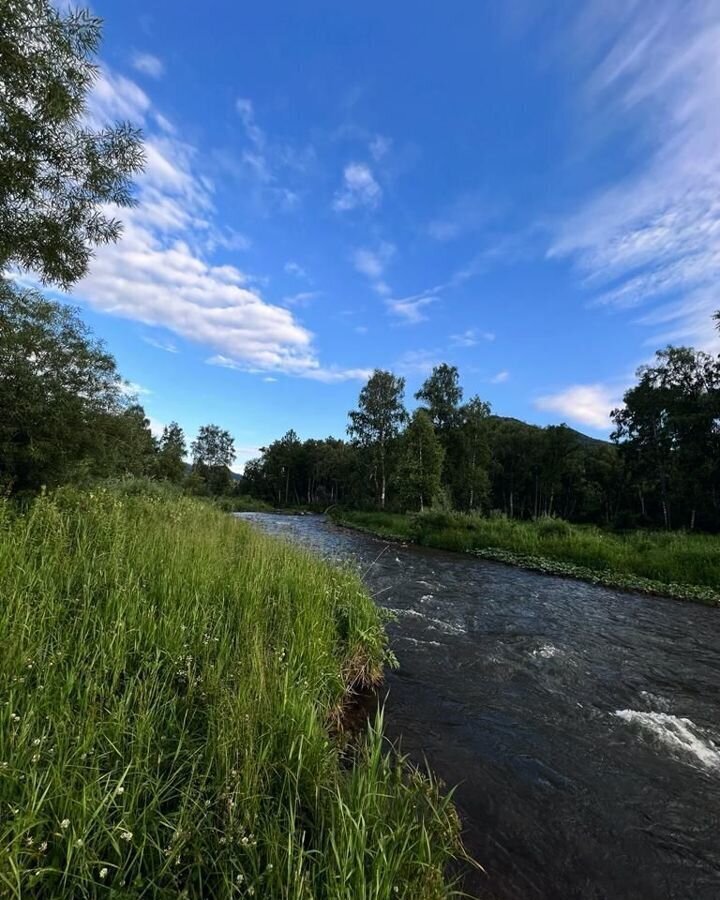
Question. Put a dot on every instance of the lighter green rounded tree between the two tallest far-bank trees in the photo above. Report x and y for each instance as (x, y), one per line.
(421, 461)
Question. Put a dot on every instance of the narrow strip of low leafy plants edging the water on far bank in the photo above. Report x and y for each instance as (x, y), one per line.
(547, 566)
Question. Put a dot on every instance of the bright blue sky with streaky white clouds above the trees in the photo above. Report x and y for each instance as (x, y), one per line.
(526, 190)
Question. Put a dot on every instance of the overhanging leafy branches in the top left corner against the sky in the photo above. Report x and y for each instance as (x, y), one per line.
(57, 174)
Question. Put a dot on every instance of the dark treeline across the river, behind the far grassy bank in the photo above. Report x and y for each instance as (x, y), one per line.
(661, 469)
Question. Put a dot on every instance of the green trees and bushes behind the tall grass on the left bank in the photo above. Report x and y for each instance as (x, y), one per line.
(68, 416)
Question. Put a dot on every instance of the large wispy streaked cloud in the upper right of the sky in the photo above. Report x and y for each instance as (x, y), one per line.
(653, 238)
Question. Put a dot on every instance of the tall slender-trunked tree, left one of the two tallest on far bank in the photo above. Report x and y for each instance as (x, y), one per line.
(377, 420)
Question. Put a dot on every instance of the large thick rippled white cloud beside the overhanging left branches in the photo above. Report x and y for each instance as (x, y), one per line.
(159, 273)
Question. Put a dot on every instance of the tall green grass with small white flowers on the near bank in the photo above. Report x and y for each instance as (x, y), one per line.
(169, 680)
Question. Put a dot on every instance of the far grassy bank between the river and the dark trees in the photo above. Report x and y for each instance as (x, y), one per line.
(673, 564)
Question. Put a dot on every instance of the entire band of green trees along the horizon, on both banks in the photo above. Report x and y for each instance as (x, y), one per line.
(68, 416)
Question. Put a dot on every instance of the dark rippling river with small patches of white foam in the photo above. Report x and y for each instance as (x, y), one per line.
(581, 725)
